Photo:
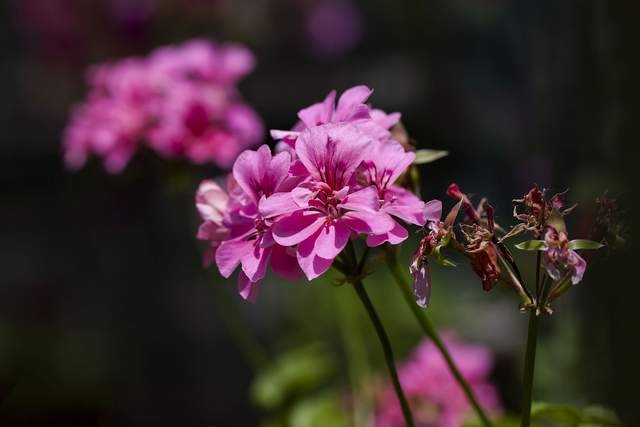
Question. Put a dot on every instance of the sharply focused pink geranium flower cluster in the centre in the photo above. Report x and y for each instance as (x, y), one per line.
(332, 179)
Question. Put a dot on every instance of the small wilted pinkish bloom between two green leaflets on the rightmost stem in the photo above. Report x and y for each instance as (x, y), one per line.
(559, 260)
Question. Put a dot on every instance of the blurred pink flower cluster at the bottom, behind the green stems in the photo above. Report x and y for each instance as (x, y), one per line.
(435, 397)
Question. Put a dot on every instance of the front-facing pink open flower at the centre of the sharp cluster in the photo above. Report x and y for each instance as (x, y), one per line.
(329, 206)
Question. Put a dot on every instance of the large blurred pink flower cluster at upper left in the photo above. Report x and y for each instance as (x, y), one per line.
(181, 101)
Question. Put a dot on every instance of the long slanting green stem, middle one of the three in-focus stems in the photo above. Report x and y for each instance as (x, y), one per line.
(431, 332)
